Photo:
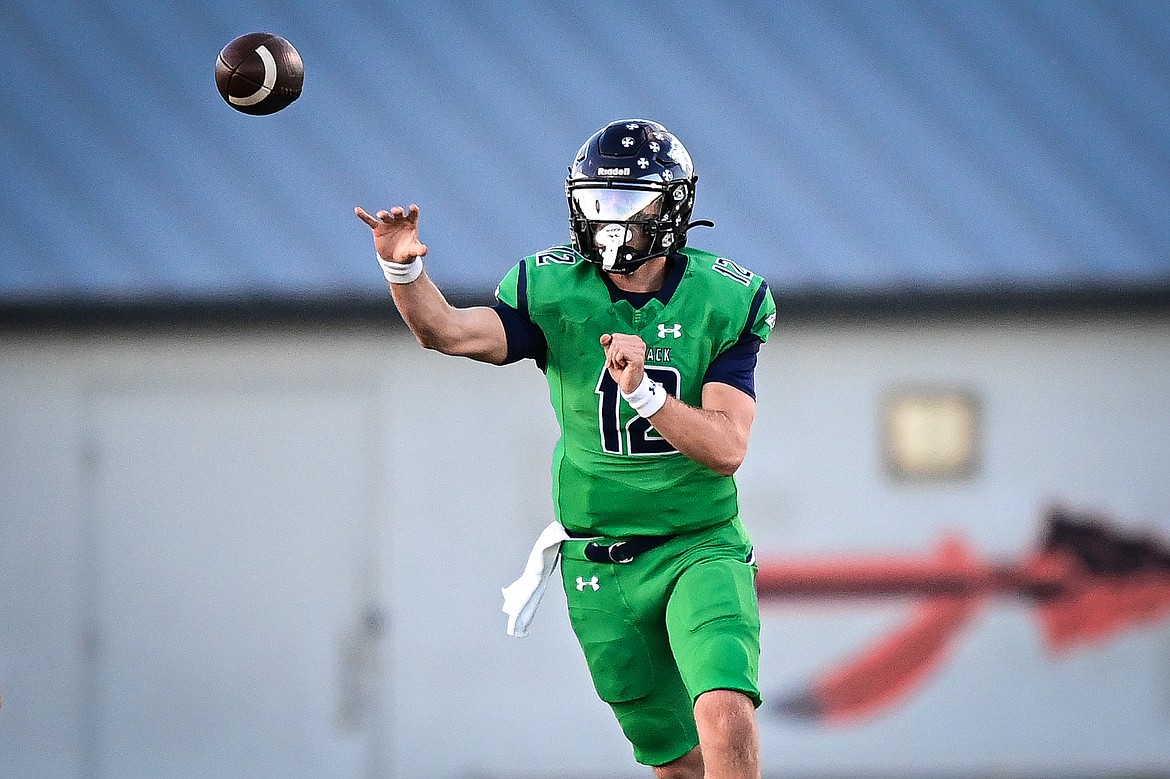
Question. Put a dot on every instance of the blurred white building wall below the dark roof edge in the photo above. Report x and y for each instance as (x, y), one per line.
(194, 527)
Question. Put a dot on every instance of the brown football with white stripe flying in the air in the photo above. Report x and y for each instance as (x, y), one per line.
(259, 74)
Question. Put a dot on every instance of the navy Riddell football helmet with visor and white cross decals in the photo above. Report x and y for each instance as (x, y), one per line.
(631, 191)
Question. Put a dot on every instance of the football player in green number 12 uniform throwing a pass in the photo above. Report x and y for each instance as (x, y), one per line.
(650, 350)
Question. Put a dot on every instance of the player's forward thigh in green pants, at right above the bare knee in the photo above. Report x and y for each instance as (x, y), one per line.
(713, 621)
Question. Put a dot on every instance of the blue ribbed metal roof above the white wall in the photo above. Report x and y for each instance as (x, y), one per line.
(844, 148)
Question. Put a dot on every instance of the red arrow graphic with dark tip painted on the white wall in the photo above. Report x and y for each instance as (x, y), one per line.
(1088, 581)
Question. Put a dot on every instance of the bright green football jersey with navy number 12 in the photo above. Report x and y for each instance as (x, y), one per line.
(612, 473)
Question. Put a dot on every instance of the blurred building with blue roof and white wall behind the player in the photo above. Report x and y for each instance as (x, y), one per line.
(250, 529)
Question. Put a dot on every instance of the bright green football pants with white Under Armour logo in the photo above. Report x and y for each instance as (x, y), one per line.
(680, 621)
